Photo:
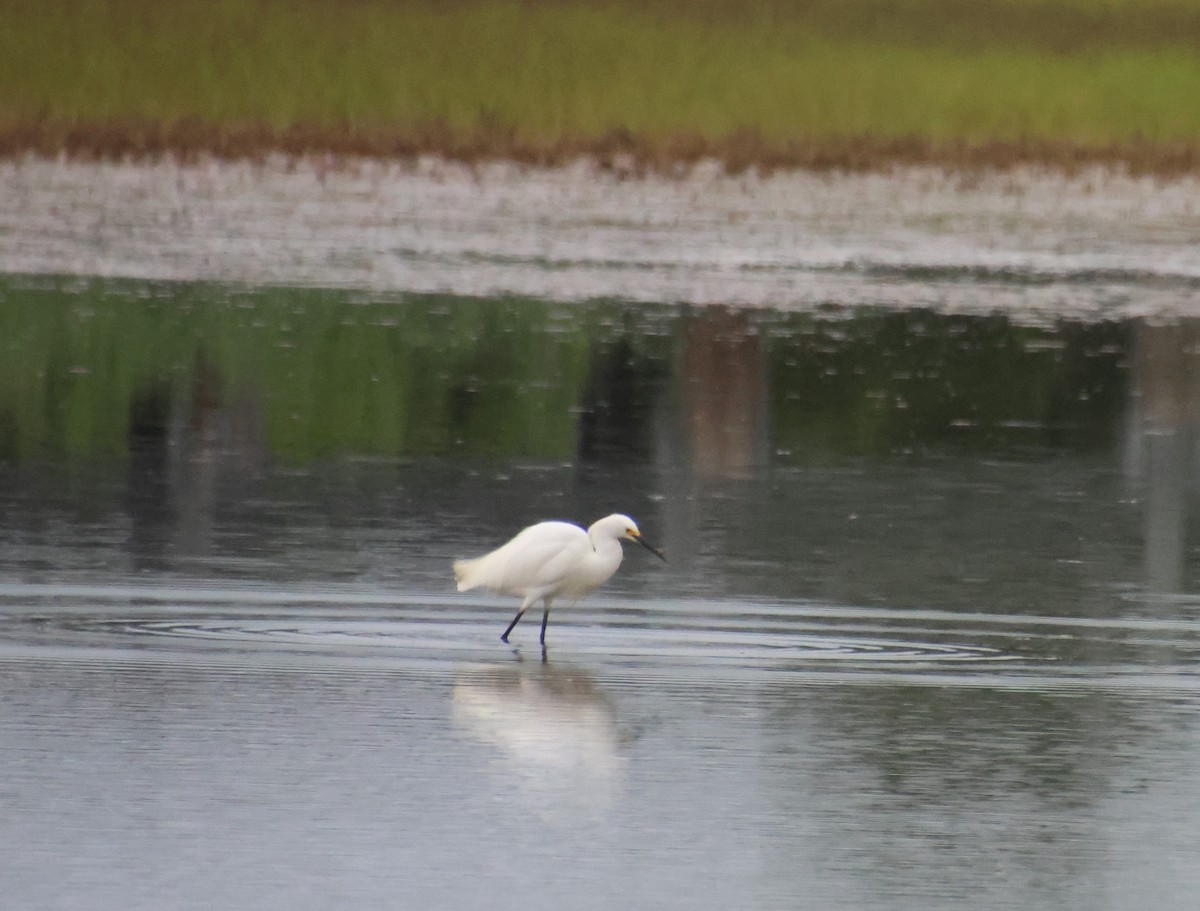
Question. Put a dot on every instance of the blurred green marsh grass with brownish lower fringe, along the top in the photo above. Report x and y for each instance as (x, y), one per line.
(667, 80)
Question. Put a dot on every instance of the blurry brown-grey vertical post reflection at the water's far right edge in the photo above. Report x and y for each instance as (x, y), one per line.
(1167, 417)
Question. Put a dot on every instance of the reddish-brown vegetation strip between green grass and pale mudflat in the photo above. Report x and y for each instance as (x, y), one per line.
(620, 151)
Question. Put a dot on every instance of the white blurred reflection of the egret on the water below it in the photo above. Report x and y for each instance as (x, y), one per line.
(554, 730)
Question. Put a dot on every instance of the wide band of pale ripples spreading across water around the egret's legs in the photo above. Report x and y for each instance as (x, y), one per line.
(809, 643)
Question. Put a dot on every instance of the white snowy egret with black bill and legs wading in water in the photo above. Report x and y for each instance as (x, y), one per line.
(549, 560)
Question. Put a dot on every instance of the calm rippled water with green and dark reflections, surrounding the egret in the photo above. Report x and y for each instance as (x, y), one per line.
(929, 636)
